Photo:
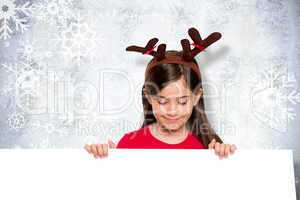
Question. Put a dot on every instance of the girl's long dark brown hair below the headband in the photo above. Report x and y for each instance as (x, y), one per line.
(163, 74)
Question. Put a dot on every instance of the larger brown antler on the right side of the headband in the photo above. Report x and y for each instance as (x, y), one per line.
(199, 44)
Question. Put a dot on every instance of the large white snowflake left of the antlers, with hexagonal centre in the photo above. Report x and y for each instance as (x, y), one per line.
(78, 40)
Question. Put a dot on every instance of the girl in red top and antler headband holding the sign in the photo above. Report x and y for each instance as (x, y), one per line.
(172, 96)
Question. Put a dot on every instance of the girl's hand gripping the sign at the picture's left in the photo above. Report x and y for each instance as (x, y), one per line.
(99, 150)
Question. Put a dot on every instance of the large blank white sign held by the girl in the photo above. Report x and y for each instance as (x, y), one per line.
(140, 174)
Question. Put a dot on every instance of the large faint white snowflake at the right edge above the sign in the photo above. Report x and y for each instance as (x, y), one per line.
(273, 93)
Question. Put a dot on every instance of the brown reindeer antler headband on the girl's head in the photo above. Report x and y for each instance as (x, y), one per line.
(184, 57)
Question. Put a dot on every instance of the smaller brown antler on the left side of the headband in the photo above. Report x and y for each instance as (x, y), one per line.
(149, 49)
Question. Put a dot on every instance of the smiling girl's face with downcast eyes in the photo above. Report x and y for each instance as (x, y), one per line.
(173, 105)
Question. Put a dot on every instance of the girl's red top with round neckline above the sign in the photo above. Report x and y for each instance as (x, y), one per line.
(143, 139)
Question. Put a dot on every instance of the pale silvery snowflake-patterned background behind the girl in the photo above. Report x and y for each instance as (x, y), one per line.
(62, 61)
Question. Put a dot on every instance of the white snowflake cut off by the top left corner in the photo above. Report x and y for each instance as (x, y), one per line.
(13, 17)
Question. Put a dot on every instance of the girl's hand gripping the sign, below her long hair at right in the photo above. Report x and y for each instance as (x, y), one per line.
(222, 150)
